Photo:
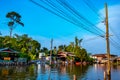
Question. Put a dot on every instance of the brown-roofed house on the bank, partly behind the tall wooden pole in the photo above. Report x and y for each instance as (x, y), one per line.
(102, 58)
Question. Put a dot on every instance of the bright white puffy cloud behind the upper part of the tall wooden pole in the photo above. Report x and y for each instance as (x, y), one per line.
(114, 20)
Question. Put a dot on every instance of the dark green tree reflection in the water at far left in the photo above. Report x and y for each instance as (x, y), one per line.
(18, 72)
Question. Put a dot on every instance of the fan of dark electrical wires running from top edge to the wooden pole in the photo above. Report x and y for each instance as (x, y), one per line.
(65, 11)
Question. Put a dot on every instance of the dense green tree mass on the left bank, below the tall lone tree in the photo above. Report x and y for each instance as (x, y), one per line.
(25, 45)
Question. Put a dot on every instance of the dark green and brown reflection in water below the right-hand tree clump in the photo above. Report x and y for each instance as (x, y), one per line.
(70, 70)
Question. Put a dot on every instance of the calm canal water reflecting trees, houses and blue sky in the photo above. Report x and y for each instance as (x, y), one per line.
(57, 72)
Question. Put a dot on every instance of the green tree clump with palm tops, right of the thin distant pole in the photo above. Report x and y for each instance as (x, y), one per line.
(75, 48)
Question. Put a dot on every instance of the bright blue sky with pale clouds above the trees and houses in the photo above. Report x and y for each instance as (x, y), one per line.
(43, 25)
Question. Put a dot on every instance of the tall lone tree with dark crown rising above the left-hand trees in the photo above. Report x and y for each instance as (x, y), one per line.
(15, 19)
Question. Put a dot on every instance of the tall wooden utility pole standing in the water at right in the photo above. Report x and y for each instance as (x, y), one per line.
(107, 42)
